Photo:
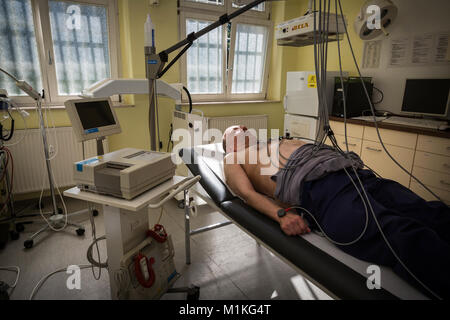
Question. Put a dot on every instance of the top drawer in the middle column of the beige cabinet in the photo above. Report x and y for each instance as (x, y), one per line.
(396, 138)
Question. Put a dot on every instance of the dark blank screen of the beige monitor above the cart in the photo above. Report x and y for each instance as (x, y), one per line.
(95, 114)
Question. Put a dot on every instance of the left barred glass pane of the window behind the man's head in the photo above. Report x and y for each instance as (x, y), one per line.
(204, 60)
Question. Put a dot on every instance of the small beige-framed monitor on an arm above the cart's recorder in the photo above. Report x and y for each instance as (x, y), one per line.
(92, 118)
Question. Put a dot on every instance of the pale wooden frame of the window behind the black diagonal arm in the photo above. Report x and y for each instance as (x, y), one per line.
(189, 9)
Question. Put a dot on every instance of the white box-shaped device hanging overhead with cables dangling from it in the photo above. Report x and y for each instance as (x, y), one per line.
(299, 32)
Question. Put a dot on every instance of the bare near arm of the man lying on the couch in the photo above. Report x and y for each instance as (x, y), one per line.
(236, 178)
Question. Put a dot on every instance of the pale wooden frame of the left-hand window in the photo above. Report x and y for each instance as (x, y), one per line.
(44, 42)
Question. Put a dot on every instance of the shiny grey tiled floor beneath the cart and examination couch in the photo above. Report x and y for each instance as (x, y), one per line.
(226, 262)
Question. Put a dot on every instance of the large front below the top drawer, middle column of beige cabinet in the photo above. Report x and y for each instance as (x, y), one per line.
(373, 155)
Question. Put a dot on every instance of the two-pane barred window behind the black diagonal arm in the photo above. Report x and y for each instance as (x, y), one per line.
(228, 63)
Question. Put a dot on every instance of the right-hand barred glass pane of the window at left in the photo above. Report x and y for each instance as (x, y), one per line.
(80, 44)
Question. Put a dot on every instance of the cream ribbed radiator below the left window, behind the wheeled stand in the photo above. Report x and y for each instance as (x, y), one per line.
(30, 172)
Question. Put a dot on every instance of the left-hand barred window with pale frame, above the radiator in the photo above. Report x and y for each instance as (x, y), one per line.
(60, 46)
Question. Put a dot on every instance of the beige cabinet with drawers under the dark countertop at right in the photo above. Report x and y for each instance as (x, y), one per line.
(427, 157)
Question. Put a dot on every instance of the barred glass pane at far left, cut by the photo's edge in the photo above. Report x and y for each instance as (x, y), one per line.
(18, 49)
